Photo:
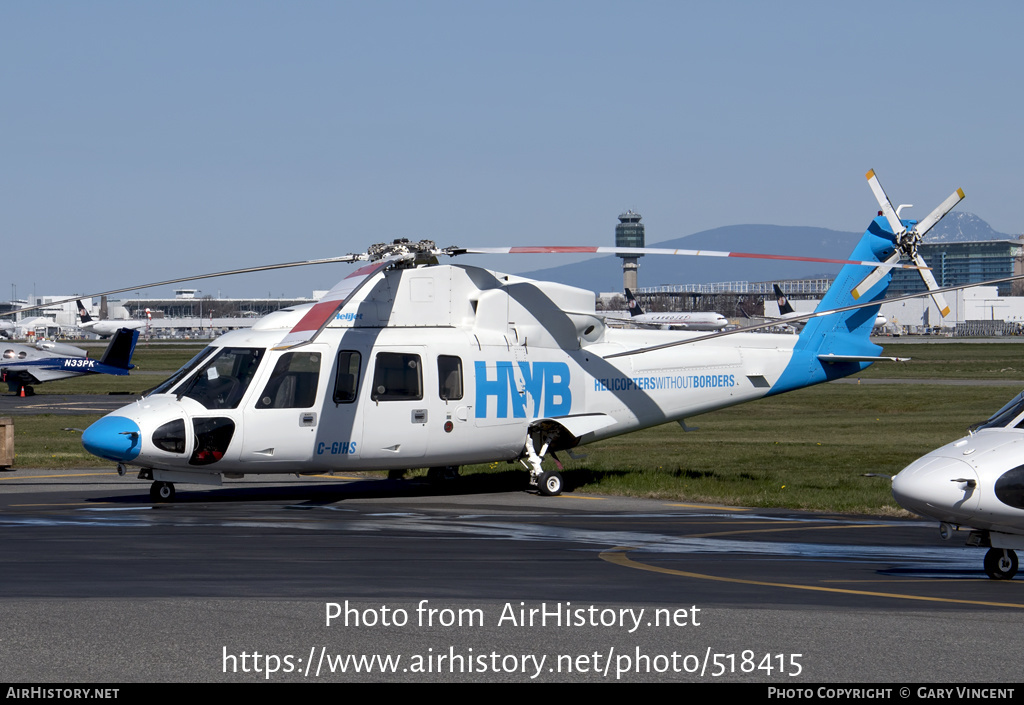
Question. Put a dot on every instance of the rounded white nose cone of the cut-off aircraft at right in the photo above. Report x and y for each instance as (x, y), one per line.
(943, 488)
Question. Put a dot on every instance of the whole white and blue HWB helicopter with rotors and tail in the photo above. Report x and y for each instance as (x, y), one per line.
(408, 363)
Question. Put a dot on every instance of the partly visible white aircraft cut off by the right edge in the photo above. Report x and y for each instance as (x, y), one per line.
(976, 483)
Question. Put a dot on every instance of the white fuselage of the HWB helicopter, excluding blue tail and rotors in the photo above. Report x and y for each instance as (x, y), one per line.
(398, 382)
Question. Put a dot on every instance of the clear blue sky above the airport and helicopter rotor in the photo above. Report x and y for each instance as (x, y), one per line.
(147, 141)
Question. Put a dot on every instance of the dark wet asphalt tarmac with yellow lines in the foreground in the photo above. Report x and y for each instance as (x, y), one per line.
(350, 579)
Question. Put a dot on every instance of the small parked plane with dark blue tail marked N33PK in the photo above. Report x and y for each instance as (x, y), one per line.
(23, 366)
